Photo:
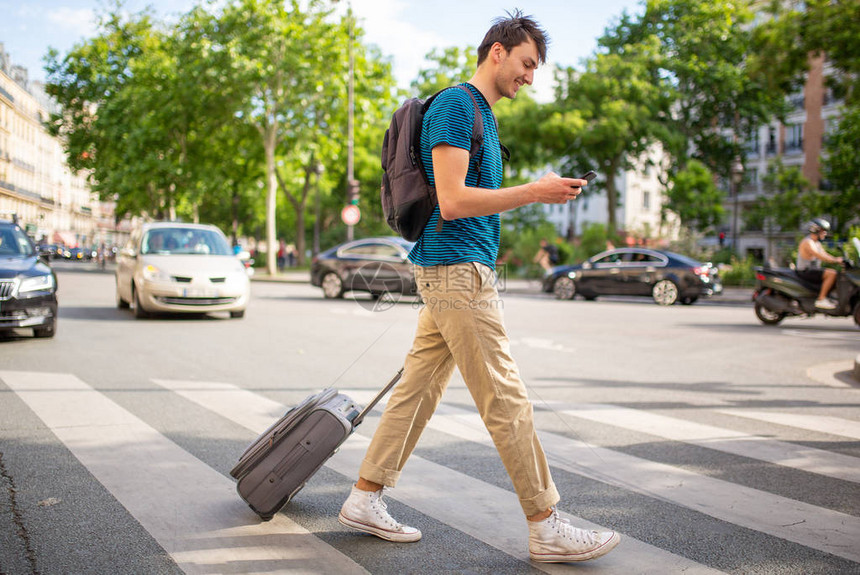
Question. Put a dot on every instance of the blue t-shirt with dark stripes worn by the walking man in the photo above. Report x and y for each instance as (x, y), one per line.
(450, 120)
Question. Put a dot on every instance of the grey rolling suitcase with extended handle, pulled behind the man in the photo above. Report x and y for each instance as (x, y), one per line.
(279, 463)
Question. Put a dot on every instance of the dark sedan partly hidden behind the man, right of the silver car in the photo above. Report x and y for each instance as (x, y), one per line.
(374, 265)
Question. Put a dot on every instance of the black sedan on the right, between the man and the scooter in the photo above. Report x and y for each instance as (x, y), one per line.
(665, 276)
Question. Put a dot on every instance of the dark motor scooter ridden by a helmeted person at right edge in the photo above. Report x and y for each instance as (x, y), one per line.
(780, 293)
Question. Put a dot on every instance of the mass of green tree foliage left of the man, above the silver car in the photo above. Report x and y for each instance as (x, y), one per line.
(195, 119)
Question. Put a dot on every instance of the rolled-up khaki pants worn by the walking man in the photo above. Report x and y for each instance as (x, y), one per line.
(461, 325)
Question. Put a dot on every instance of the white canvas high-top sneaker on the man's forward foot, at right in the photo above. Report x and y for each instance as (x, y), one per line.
(555, 540)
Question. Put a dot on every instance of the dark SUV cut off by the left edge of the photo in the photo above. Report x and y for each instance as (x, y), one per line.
(28, 285)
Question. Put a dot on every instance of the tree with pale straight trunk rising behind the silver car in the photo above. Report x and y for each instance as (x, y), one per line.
(277, 54)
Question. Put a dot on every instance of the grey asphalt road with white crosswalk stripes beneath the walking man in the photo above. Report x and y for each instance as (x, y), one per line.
(710, 442)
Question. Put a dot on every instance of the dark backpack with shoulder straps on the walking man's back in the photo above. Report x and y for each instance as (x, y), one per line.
(408, 199)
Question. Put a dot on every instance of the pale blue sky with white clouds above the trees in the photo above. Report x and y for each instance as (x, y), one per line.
(405, 30)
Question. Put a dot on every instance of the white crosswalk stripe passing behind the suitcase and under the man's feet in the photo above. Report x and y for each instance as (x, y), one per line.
(477, 506)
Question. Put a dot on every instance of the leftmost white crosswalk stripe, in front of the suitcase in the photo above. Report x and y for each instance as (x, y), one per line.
(190, 509)
